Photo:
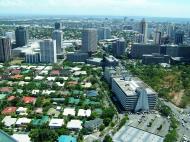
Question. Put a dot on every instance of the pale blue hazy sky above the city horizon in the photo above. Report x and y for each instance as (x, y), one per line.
(155, 8)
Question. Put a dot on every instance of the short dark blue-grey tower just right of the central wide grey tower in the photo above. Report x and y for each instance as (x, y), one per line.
(118, 48)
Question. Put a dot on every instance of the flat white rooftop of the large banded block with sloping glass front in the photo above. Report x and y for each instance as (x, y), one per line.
(129, 86)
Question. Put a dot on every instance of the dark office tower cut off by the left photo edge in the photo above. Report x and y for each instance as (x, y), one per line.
(5, 49)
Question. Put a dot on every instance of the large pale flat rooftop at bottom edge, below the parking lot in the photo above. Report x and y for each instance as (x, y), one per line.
(131, 134)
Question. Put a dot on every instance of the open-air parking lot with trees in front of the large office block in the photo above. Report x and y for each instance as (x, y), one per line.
(153, 123)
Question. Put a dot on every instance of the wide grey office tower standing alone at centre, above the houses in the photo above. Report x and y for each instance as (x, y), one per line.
(89, 40)
